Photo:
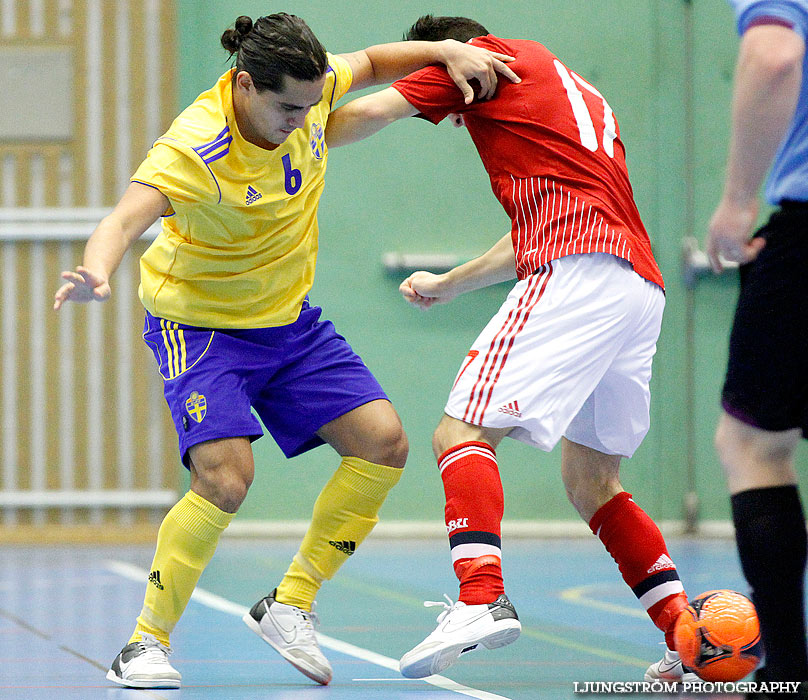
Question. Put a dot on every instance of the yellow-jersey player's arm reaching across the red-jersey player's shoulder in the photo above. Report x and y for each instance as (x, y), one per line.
(384, 63)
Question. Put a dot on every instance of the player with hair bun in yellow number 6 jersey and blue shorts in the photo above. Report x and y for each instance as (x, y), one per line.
(237, 180)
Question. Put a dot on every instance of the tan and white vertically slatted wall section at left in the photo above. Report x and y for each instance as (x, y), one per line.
(82, 405)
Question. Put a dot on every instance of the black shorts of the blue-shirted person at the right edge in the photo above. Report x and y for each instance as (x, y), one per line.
(767, 374)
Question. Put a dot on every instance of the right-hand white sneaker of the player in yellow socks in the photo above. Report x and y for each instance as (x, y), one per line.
(289, 630)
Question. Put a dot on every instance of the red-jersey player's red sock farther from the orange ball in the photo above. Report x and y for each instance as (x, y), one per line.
(474, 507)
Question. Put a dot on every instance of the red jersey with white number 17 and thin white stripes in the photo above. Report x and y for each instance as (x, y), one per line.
(552, 150)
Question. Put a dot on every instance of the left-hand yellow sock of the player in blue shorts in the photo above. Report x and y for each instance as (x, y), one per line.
(185, 544)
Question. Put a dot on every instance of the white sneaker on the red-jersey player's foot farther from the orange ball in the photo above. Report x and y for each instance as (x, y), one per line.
(461, 628)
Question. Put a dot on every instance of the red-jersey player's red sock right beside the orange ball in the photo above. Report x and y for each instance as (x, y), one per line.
(637, 545)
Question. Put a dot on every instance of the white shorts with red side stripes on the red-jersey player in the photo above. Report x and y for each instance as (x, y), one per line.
(568, 353)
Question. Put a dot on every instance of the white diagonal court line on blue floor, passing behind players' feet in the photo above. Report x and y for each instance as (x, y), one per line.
(216, 602)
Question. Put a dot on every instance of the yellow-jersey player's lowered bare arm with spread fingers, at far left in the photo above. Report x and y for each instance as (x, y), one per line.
(138, 209)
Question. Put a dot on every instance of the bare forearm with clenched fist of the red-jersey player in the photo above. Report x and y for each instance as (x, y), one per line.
(498, 264)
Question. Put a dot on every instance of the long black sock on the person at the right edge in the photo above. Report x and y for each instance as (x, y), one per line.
(771, 537)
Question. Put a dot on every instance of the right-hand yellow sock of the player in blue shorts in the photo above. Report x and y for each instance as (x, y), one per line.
(344, 514)
